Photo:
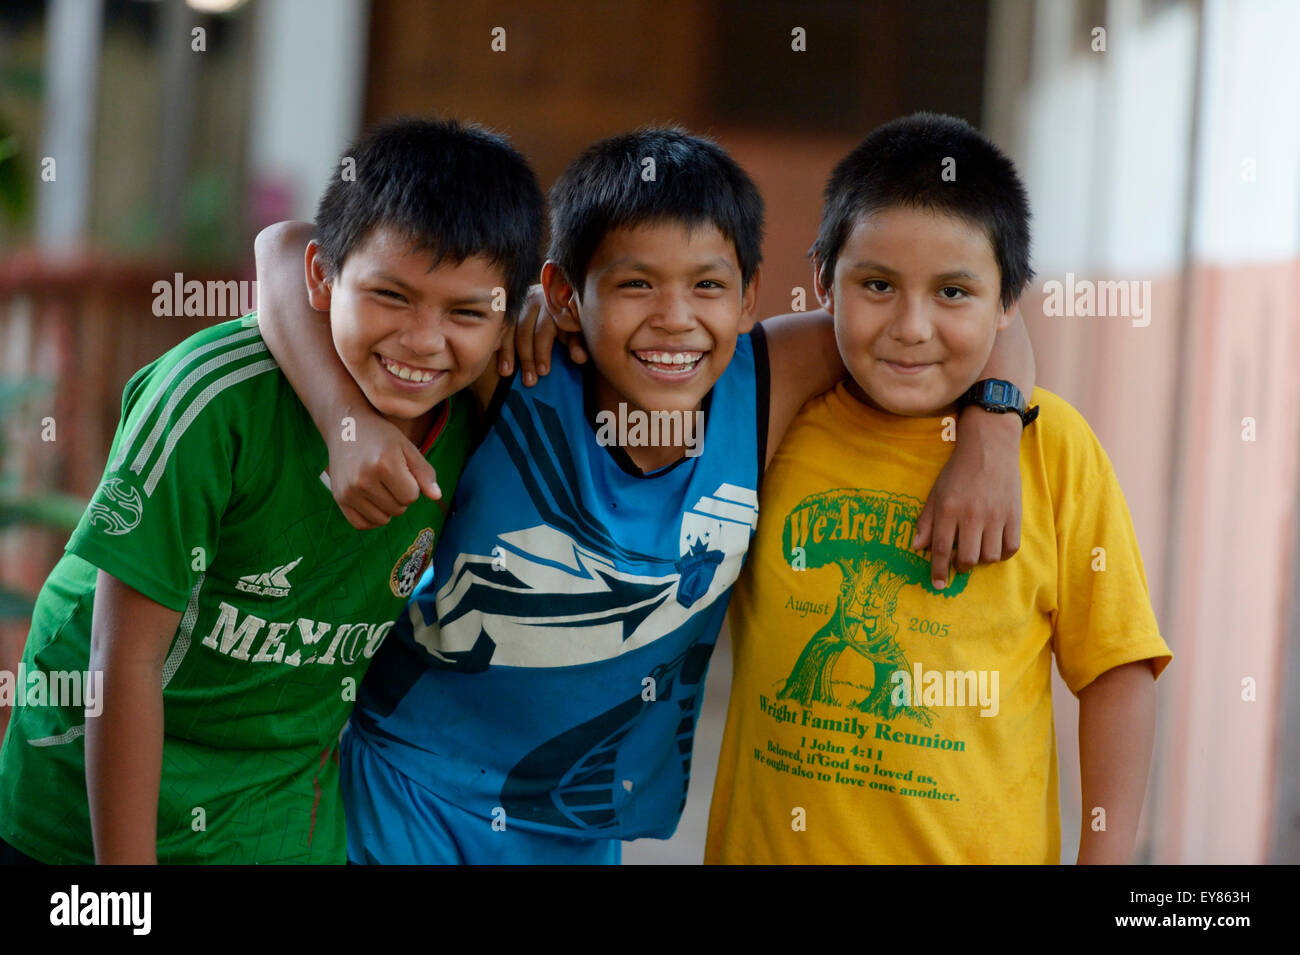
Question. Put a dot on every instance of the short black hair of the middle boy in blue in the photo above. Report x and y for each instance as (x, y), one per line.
(609, 186)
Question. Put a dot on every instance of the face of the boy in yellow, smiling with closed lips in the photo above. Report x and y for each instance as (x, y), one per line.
(917, 306)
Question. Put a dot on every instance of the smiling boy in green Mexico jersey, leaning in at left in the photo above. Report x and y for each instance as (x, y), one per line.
(196, 653)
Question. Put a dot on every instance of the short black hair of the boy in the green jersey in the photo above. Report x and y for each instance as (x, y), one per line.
(456, 190)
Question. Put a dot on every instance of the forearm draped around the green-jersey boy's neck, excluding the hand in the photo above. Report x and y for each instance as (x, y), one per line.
(297, 335)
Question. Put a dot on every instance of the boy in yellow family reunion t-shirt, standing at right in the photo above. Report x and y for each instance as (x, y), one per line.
(877, 718)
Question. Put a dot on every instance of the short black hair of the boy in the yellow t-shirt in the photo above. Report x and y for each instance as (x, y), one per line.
(903, 163)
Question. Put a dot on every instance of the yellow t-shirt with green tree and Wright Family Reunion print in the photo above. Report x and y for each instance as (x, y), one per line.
(874, 719)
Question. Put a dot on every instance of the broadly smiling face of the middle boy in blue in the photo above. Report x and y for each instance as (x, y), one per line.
(661, 310)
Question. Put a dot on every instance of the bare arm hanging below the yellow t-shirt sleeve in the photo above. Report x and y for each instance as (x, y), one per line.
(1117, 726)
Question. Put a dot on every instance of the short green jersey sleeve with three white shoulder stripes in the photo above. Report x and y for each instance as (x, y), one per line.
(154, 522)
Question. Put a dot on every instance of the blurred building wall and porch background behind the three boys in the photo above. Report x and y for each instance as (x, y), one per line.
(1159, 140)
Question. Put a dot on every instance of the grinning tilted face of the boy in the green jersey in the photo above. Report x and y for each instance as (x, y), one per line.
(411, 335)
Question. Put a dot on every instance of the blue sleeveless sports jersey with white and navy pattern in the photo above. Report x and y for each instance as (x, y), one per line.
(552, 662)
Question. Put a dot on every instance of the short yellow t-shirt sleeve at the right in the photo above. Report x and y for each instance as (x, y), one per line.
(1104, 615)
